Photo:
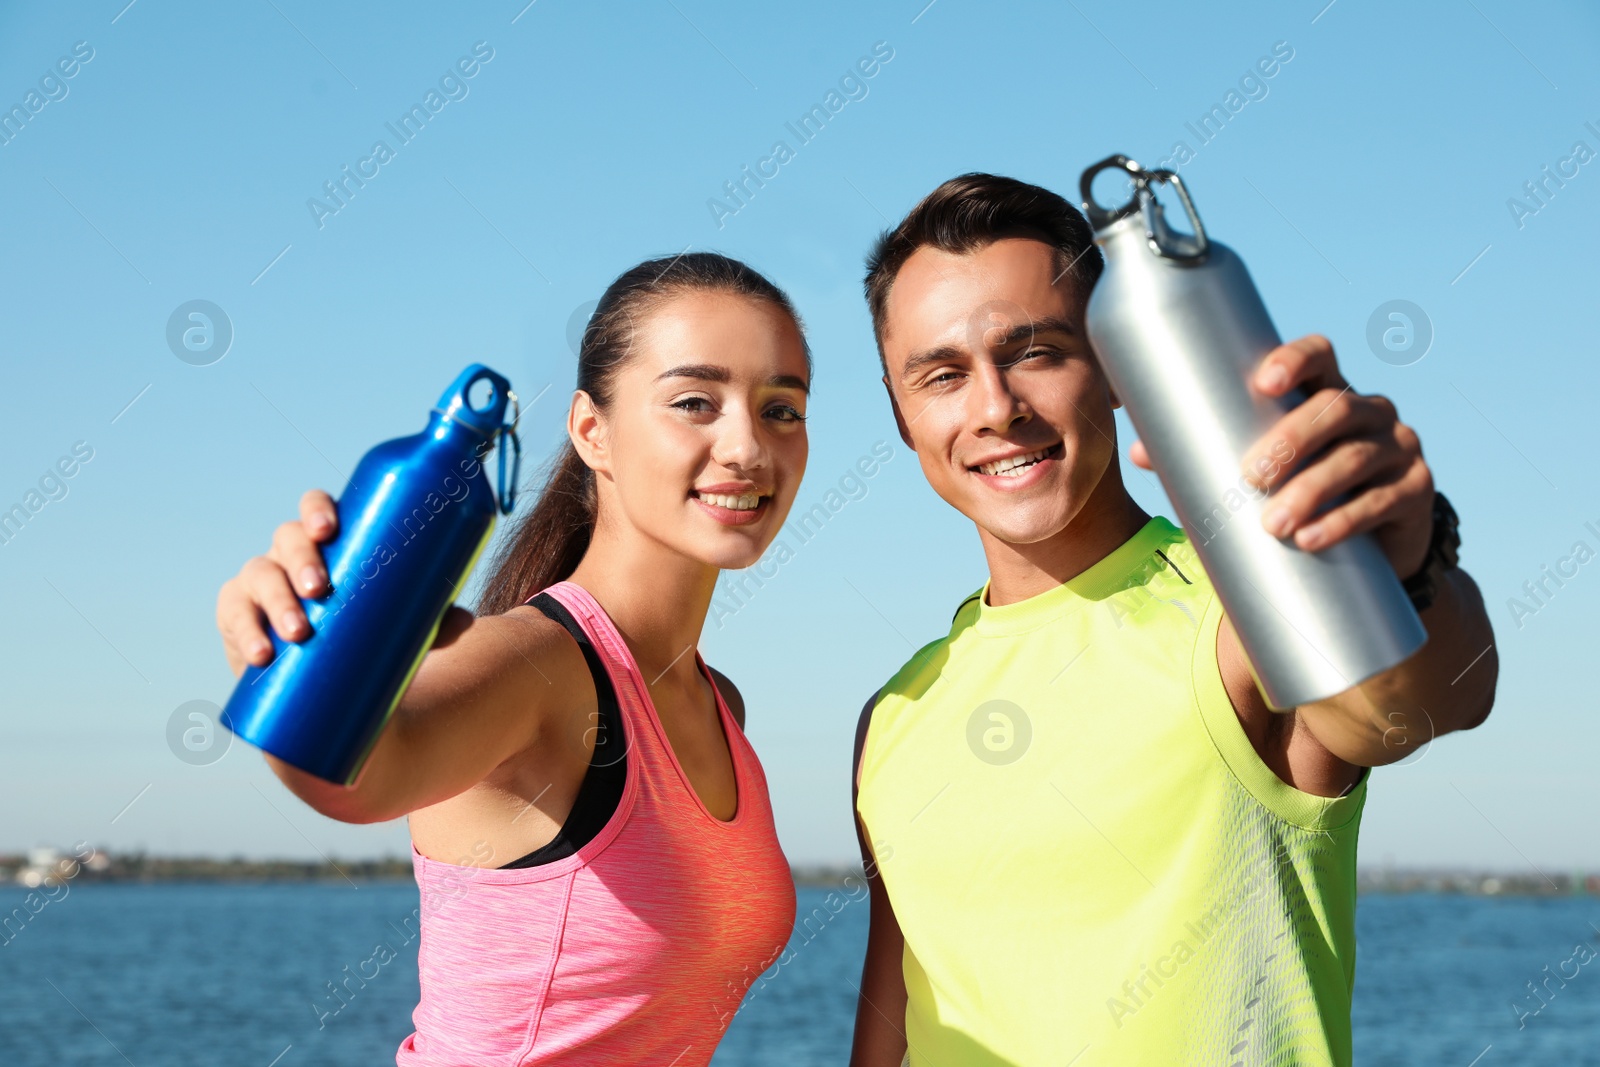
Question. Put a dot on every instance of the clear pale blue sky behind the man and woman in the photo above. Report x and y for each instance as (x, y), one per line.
(1380, 162)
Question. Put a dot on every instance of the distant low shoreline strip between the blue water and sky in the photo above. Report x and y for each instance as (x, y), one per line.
(100, 868)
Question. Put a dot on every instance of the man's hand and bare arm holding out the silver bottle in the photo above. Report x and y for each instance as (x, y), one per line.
(1343, 444)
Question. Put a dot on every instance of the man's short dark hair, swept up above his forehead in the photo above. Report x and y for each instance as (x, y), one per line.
(972, 212)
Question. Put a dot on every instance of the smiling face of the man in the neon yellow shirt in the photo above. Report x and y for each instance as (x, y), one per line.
(996, 388)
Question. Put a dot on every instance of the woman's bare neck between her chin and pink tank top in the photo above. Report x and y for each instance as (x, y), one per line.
(657, 597)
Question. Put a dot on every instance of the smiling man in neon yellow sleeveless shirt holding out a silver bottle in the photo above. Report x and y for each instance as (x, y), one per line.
(1092, 841)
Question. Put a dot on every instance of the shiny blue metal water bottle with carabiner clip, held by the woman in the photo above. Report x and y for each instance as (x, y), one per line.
(414, 521)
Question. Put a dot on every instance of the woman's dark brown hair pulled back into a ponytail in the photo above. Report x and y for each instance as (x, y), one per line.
(550, 540)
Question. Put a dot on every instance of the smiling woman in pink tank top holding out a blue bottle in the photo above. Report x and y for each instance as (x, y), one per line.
(591, 831)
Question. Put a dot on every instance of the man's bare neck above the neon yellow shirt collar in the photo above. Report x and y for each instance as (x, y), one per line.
(1108, 519)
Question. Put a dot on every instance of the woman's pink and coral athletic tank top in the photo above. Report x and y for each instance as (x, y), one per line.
(639, 948)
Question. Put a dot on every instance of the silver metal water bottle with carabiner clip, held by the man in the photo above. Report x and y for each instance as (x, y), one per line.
(1180, 329)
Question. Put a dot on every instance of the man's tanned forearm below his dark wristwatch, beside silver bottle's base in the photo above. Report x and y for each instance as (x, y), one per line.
(1447, 685)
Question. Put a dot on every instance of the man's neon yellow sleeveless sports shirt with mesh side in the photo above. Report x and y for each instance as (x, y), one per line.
(1087, 857)
